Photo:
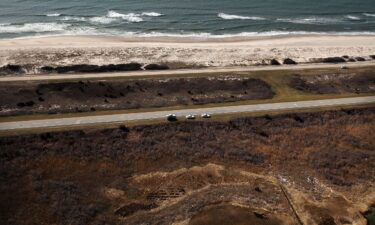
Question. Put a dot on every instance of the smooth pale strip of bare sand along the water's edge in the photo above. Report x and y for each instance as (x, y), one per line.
(83, 39)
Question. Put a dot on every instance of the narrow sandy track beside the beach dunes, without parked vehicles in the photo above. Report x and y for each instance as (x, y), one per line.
(52, 77)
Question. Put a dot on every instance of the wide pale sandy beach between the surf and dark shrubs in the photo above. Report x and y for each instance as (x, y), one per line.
(180, 52)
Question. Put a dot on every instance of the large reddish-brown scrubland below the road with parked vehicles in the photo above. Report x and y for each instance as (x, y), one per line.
(63, 177)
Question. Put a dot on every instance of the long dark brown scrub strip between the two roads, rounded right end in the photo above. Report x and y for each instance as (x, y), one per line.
(29, 98)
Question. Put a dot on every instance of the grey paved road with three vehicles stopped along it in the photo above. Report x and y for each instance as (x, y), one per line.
(62, 122)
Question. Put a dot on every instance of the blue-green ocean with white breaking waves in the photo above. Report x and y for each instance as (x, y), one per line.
(185, 18)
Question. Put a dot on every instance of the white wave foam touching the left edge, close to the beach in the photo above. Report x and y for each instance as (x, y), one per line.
(33, 27)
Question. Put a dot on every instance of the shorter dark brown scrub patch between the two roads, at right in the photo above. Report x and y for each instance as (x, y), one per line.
(335, 83)
